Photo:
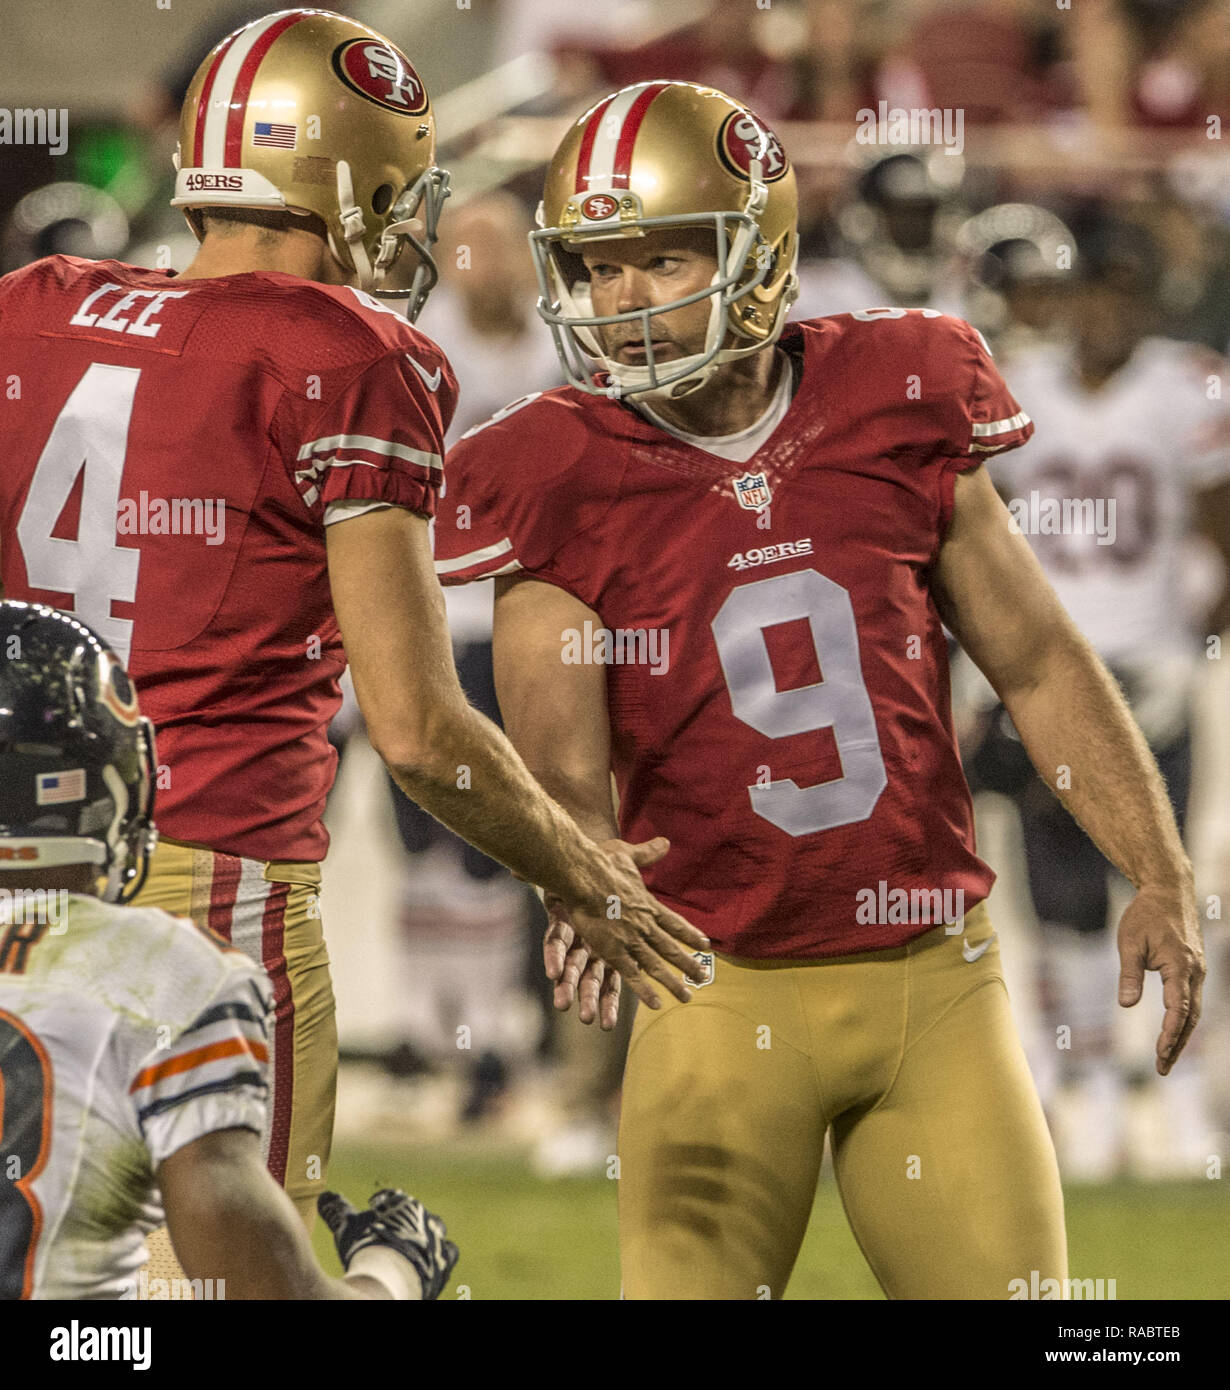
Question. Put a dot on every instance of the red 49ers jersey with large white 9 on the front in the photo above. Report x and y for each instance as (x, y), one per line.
(778, 671)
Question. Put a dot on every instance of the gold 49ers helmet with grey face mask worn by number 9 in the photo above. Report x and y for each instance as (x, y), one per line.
(668, 155)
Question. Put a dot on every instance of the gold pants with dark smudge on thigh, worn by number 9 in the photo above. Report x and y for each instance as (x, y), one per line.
(907, 1058)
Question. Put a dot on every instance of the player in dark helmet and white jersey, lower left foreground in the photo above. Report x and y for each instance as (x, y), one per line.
(134, 1045)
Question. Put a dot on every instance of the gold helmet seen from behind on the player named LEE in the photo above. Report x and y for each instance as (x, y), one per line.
(316, 113)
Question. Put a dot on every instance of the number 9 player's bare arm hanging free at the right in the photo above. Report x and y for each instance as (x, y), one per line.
(1071, 715)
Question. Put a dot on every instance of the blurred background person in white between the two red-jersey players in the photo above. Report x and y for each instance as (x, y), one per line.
(464, 921)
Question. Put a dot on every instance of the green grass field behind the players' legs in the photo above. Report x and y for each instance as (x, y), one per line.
(523, 1238)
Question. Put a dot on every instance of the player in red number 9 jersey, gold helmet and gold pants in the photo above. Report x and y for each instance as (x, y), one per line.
(725, 557)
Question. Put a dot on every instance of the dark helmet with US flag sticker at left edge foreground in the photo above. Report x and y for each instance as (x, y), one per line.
(77, 758)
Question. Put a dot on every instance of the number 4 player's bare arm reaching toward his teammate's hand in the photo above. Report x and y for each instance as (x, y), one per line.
(462, 769)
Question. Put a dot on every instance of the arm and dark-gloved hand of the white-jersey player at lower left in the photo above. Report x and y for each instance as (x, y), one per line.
(230, 1221)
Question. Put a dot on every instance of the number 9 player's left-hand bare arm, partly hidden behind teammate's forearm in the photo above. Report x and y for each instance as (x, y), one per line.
(557, 717)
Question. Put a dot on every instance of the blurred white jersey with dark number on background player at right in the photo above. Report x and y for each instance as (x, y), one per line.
(1104, 489)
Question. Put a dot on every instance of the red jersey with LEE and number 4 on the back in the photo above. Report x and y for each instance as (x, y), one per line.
(170, 451)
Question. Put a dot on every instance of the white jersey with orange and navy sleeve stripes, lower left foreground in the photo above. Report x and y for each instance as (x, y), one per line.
(124, 1035)
